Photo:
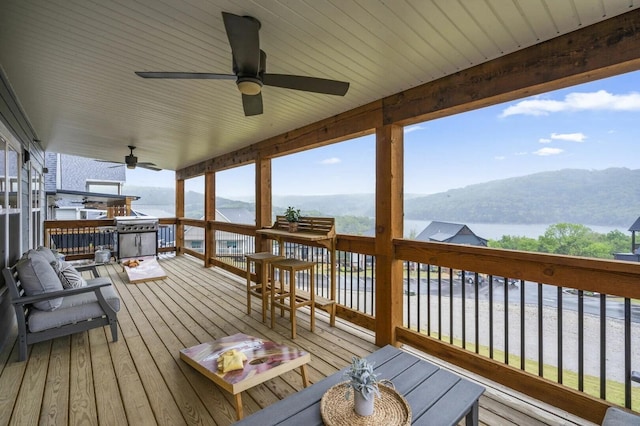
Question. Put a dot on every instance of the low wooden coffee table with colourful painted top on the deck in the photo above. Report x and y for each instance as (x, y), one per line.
(265, 360)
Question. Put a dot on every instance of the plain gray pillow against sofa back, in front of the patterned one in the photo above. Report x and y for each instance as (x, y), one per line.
(37, 276)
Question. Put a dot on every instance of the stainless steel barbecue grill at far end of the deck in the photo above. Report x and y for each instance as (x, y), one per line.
(137, 236)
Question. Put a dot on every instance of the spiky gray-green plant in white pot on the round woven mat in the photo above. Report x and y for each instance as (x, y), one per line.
(364, 383)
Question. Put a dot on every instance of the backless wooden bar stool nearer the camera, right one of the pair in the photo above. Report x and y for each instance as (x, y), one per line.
(280, 294)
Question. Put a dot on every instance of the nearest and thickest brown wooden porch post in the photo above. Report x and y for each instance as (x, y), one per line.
(389, 215)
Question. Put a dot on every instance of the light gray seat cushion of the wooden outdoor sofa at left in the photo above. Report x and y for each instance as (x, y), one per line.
(79, 307)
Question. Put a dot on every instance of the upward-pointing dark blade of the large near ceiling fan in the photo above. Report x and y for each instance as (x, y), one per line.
(242, 32)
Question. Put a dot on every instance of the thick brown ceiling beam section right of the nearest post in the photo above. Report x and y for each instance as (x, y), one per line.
(605, 49)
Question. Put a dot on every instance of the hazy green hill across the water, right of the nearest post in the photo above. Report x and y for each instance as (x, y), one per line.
(608, 197)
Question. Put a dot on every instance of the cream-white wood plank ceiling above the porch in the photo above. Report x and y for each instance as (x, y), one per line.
(71, 63)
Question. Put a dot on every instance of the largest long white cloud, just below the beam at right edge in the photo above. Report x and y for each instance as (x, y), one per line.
(600, 100)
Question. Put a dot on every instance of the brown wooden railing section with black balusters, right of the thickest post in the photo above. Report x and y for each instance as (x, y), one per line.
(559, 328)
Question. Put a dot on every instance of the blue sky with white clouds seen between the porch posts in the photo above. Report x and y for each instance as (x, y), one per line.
(589, 126)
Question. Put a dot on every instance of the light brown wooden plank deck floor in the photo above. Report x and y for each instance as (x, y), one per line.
(140, 380)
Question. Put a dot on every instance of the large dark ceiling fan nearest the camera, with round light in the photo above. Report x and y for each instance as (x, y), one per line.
(249, 68)
